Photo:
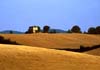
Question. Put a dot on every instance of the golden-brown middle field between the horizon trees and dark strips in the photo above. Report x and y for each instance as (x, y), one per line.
(54, 40)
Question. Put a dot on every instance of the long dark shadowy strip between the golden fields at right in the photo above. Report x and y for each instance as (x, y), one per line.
(82, 48)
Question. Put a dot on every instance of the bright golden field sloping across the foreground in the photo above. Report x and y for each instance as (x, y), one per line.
(14, 57)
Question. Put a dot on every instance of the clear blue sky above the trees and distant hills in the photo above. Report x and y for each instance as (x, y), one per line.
(60, 14)
